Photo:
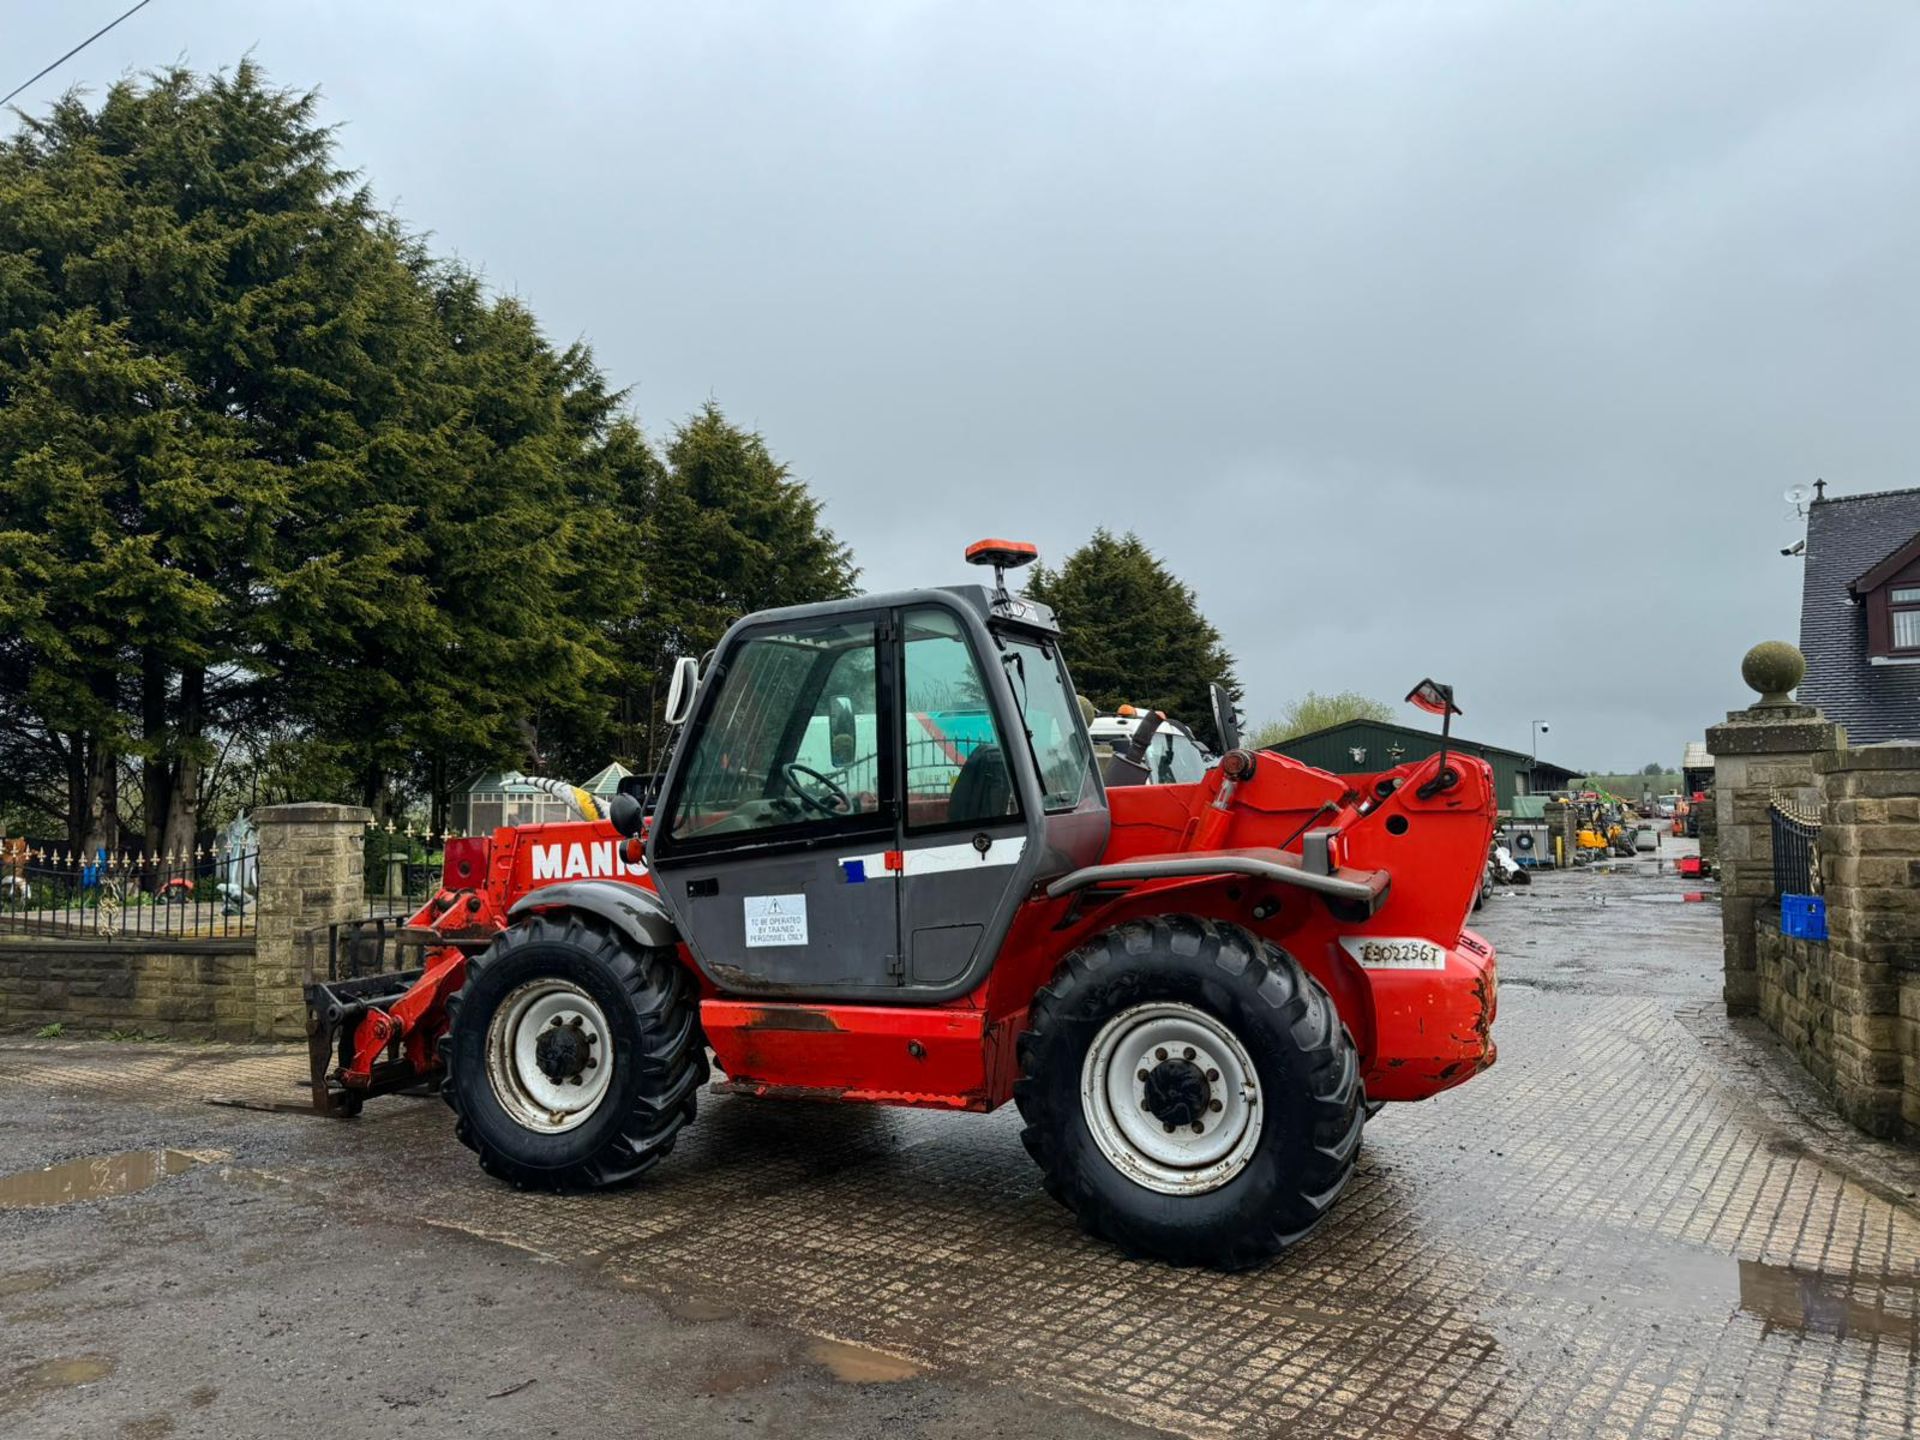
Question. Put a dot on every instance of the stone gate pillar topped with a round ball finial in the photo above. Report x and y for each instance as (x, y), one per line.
(1764, 752)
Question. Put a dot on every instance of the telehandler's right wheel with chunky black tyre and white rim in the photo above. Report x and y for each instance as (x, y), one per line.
(1197, 1001)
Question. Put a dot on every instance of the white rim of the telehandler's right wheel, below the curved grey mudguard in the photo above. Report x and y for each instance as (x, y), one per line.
(1120, 1107)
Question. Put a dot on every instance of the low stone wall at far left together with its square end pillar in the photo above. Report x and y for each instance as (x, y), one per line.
(310, 876)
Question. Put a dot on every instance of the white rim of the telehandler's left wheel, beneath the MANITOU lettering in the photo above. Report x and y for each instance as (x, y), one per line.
(533, 1097)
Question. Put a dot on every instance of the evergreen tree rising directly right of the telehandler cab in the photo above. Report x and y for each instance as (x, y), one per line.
(1134, 633)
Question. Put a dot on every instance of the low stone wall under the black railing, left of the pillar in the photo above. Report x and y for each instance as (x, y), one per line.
(187, 990)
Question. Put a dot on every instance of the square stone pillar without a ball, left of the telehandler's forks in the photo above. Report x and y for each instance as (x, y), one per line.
(310, 876)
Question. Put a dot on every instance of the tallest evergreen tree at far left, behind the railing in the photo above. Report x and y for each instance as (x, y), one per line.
(201, 327)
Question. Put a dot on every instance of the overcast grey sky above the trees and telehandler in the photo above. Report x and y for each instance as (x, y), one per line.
(1474, 341)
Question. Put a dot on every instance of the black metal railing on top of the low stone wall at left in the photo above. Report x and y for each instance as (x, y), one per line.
(72, 896)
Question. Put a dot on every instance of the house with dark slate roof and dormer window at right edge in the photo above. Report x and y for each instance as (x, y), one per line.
(1861, 613)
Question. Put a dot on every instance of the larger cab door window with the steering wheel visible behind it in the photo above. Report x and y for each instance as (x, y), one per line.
(792, 738)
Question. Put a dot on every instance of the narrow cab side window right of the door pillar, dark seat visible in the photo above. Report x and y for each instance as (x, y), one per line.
(955, 754)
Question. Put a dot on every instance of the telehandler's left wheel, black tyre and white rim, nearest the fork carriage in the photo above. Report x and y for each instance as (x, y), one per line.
(573, 1057)
